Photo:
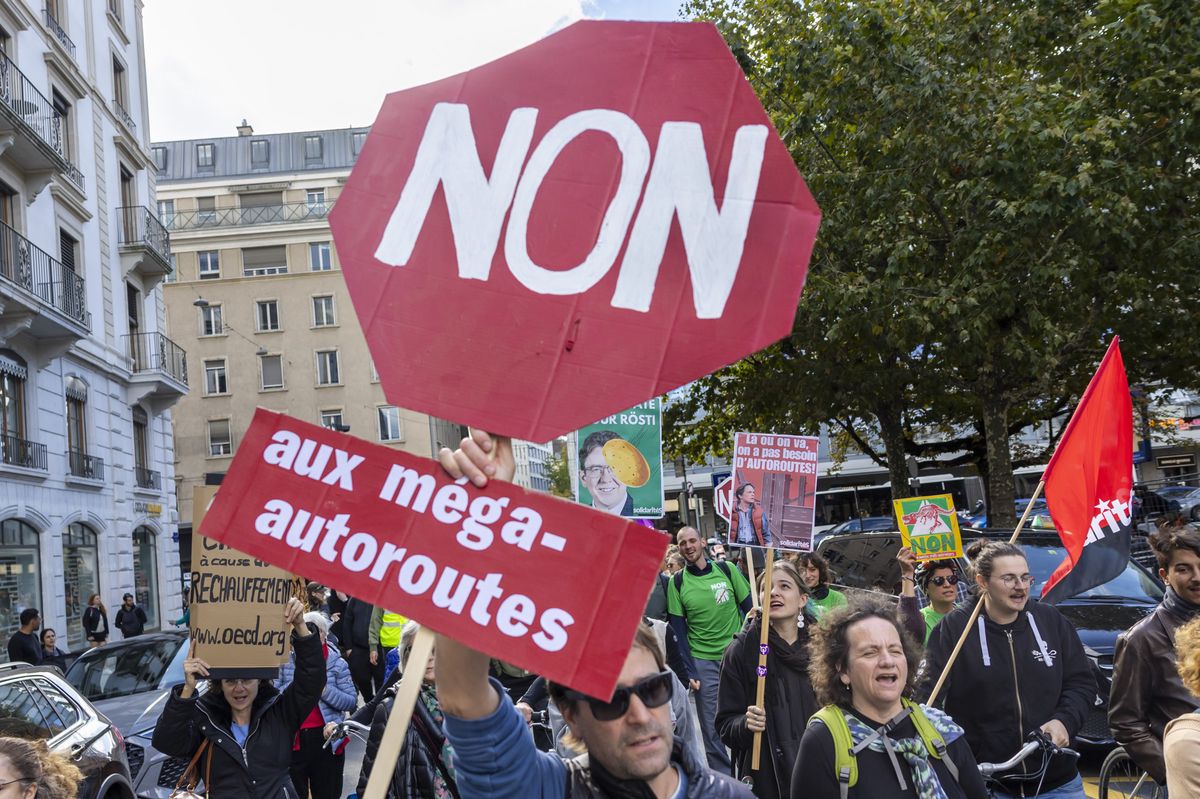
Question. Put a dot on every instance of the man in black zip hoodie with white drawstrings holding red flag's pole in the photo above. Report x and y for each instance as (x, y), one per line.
(1023, 669)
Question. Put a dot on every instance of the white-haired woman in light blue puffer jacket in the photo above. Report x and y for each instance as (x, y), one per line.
(316, 768)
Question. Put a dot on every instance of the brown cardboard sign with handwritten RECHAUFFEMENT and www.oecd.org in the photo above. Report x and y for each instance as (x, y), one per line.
(237, 605)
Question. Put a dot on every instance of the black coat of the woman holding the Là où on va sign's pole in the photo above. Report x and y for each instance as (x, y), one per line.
(789, 702)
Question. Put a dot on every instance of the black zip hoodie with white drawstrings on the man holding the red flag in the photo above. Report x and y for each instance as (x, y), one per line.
(1023, 692)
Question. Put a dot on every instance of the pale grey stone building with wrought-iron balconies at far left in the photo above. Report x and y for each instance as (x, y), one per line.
(88, 380)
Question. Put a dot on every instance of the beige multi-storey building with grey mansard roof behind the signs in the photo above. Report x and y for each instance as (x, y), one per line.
(260, 298)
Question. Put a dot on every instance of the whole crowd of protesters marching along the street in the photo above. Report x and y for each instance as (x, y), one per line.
(843, 713)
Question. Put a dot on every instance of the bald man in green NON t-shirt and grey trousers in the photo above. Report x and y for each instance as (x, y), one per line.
(707, 603)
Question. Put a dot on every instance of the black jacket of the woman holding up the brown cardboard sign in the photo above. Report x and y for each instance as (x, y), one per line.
(262, 767)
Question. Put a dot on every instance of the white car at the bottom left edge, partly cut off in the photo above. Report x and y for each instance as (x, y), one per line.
(38, 702)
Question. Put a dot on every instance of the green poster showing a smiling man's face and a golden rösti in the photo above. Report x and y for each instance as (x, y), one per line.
(621, 462)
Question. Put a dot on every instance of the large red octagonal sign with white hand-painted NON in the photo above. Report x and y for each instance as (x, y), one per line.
(566, 232)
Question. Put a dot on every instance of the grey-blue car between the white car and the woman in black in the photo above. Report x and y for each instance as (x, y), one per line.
(129, 681)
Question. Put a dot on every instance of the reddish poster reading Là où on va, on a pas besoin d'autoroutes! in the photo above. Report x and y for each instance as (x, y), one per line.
(775, 491)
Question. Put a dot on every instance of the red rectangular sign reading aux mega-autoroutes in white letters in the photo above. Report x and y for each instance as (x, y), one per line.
(533, 580)
